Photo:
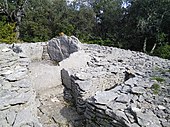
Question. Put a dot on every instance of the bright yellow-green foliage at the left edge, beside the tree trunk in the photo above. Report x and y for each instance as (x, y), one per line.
(7, 34)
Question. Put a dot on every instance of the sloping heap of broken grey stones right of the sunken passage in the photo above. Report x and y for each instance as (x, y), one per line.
(118, 88)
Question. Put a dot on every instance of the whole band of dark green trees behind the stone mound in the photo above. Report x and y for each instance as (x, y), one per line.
(141, 25)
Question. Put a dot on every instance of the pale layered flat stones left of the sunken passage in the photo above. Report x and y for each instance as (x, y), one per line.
(17, 98)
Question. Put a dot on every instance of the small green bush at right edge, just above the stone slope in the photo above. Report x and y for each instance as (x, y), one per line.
(163, 51)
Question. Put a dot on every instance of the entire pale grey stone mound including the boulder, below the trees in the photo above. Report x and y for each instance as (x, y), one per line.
(96, 86)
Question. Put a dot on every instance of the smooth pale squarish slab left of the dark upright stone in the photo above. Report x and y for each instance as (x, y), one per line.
(44, 75)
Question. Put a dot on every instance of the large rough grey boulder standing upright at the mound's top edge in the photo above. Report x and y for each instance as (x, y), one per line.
(60, 48)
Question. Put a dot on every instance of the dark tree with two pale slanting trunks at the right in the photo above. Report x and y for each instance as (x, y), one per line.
(144, 24)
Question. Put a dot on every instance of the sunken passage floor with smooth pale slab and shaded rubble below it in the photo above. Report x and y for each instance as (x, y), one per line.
(53, 110)
